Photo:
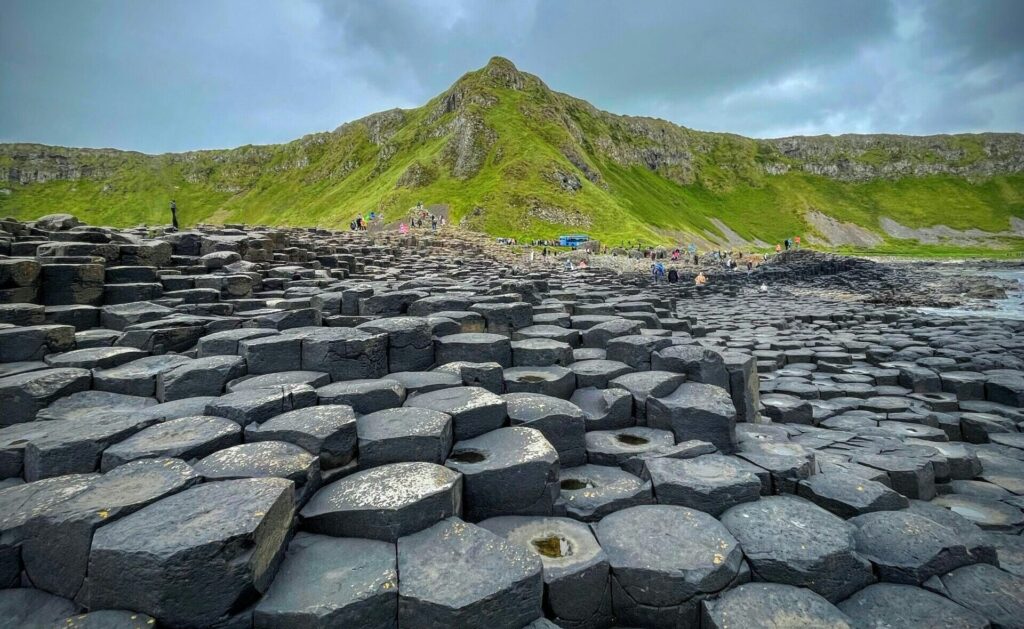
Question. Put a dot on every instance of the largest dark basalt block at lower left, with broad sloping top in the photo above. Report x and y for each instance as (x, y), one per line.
(189, 560)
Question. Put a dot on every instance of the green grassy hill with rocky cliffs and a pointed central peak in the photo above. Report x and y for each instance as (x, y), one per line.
(513, 158)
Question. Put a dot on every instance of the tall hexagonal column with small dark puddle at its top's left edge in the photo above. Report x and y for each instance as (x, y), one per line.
(509, 472)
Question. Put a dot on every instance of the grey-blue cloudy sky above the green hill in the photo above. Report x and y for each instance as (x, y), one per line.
(161, 75)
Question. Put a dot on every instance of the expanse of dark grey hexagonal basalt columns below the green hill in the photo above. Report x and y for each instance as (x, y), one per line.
(257, 428)
